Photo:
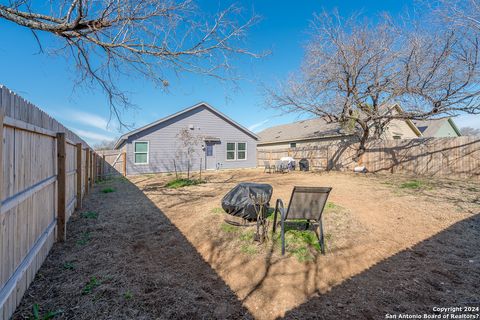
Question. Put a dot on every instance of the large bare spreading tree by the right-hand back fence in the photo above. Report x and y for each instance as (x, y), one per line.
(354, 71)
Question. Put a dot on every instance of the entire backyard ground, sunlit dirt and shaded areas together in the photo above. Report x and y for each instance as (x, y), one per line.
(152, 252)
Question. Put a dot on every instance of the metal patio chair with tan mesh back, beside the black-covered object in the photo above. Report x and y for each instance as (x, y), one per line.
(305, 203)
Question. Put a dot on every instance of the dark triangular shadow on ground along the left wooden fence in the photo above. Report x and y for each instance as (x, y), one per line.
(124, 259)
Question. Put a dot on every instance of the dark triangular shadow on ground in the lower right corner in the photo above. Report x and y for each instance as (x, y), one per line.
(442, 270)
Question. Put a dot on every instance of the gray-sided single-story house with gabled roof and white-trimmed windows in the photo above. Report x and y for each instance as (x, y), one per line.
(220, 143)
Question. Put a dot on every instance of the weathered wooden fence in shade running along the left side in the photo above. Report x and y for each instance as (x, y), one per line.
(46, 170)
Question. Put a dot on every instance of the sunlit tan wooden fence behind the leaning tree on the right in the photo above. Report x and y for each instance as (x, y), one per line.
(436, 157)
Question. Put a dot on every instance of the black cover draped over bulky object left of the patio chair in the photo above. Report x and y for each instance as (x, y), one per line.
(237, 201)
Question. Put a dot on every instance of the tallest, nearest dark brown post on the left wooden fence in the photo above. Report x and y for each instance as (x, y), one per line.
(61, 186)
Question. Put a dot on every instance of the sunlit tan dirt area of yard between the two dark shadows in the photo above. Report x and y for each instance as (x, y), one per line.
(380, 219)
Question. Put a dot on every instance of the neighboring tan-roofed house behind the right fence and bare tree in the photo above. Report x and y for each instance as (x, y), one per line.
(317, 130)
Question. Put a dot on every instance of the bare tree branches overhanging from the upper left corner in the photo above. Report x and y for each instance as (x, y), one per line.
(151, 38)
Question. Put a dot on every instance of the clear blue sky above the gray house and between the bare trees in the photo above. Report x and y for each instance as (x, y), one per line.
(48, 80)
